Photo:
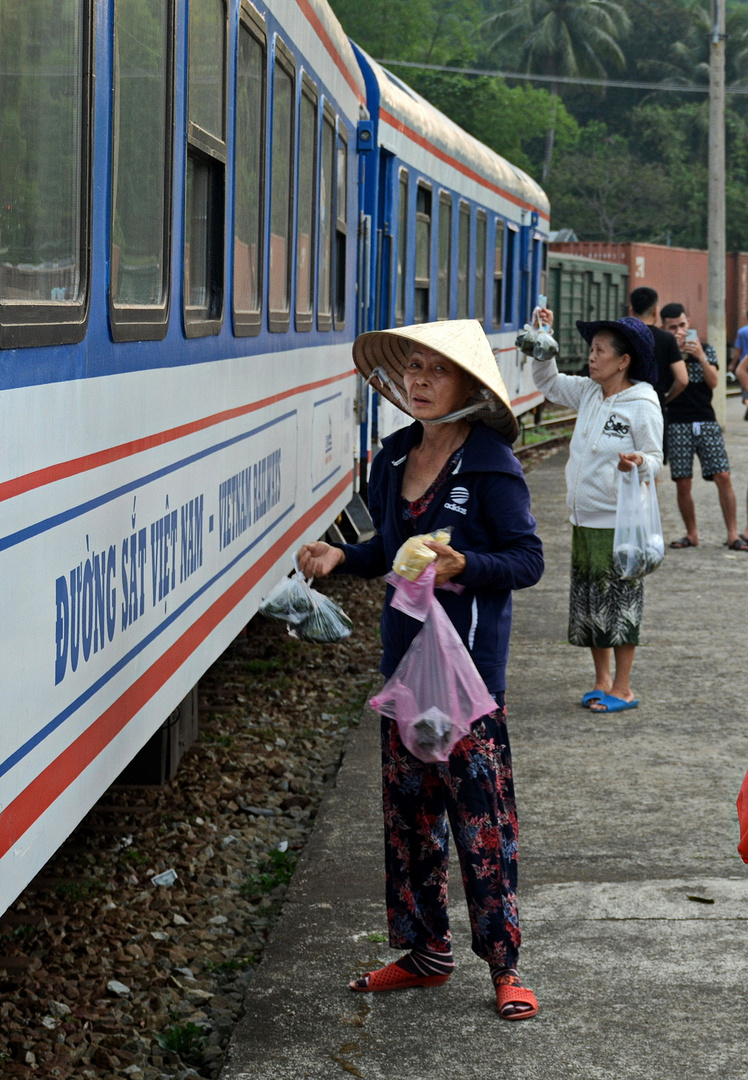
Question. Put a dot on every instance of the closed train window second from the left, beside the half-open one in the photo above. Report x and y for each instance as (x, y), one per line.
(142, 170)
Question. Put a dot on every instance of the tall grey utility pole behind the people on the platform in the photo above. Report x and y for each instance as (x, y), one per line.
(716, 326)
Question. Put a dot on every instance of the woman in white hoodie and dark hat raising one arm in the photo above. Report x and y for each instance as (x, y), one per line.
(619, 425)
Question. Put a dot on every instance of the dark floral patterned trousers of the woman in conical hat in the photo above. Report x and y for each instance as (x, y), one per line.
(473, 791)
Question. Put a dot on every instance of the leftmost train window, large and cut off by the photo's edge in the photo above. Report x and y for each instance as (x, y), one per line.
(46, 69)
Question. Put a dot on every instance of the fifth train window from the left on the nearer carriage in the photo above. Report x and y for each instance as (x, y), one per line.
(281, 193)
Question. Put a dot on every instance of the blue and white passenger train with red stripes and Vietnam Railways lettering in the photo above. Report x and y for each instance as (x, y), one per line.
(202, 202)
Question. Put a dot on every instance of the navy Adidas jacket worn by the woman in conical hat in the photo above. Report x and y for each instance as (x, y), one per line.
(487, 505)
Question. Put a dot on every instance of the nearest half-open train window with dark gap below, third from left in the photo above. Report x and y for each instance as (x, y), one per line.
(206, 169)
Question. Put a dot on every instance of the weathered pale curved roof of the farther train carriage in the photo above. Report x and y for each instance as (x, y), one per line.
(407, 109)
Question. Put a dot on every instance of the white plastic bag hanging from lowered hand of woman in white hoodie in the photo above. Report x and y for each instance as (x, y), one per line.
(638, 543)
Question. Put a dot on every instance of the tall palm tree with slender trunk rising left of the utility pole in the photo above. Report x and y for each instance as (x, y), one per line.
(562, 38)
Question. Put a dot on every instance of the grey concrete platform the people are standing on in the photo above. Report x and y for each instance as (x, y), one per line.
(633, 899)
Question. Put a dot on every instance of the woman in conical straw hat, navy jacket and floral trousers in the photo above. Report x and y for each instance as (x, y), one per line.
(453, 468)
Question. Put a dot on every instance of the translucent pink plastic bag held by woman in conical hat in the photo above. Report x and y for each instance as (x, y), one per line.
(437, 693)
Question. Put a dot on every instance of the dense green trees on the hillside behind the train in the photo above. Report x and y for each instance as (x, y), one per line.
(619, 165)
